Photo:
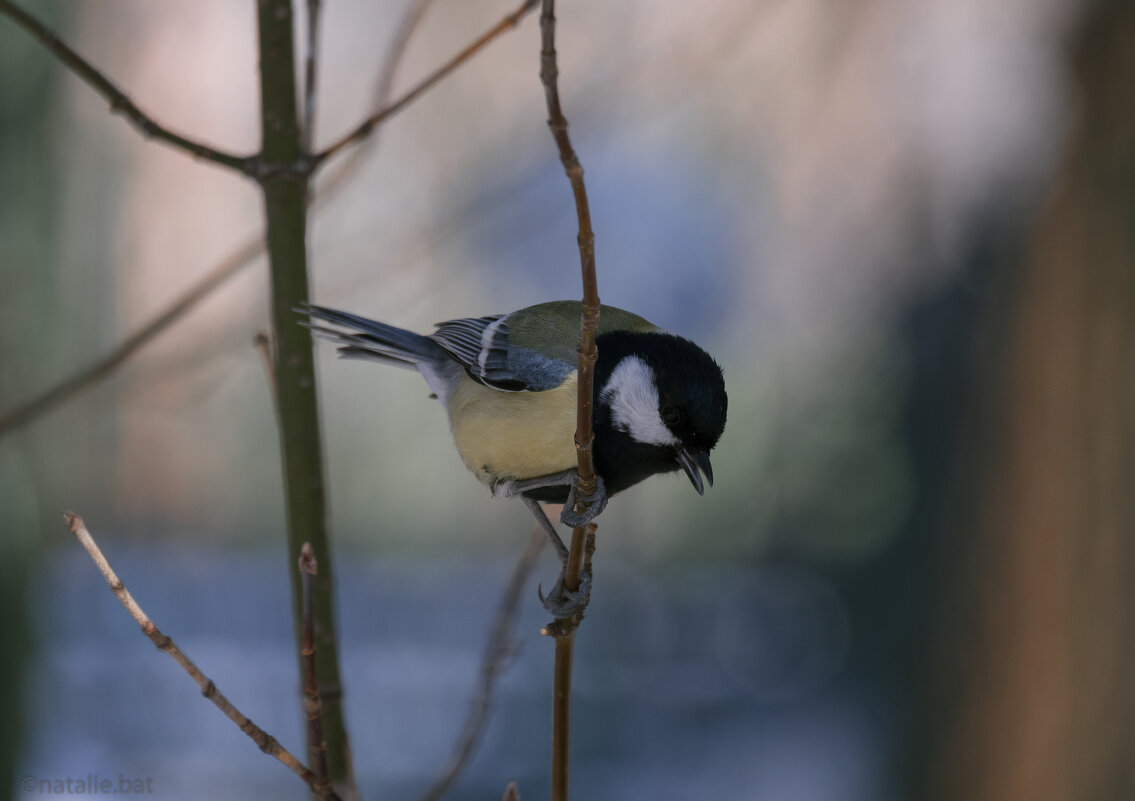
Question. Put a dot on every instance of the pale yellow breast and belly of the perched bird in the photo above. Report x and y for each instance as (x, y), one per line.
(514, 435)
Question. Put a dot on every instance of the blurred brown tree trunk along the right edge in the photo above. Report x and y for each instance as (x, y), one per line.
(1036, 699)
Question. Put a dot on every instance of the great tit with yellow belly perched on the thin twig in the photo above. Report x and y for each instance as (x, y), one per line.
(509, 384)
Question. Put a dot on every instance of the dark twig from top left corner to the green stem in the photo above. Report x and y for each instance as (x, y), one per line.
(121, 104)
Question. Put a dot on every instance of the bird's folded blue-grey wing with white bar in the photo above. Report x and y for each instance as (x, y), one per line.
(482, 347)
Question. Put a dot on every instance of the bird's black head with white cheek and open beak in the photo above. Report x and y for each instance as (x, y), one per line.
(660, 407)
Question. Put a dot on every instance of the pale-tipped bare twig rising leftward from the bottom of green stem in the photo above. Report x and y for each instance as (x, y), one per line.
(265, 741)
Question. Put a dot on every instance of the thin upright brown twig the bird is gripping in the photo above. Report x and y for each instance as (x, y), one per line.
(579, 553)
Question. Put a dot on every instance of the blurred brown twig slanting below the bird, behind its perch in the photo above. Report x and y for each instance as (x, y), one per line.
(498, 653)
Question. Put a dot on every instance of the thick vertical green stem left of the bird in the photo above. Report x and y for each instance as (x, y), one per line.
(285, 207)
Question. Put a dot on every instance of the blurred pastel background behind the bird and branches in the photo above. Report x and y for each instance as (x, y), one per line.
(904, 230)
